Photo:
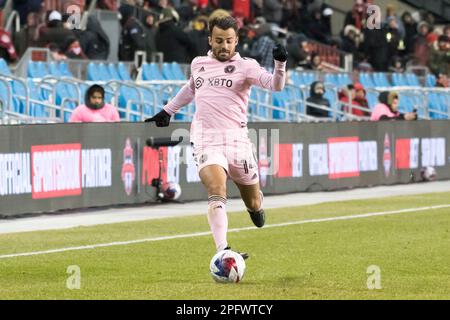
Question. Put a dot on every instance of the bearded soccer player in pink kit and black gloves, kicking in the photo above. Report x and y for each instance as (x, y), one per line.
(220, 84)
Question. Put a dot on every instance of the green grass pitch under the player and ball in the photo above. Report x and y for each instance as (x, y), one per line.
(319, 260)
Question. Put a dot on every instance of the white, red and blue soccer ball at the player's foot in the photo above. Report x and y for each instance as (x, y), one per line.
(227, 266)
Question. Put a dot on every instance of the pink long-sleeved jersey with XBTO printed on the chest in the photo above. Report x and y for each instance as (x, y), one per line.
(221, 91)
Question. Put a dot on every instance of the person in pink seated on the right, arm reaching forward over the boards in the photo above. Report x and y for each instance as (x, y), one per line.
(387, 109)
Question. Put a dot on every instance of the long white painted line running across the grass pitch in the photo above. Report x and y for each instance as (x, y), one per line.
(200, 234)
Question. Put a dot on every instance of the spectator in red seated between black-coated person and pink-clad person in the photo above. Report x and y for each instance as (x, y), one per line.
(357, 95)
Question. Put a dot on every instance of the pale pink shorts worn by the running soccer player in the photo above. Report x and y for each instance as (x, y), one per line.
(239, 160)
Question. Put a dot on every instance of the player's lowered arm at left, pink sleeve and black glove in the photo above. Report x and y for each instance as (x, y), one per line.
(183, 97)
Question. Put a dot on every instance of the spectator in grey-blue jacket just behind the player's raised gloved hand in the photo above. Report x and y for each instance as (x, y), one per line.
(262, 46)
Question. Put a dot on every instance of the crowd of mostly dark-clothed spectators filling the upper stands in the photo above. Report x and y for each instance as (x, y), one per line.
(178, 28)
